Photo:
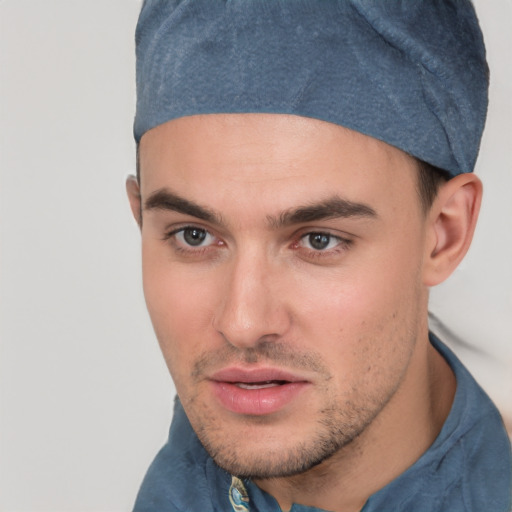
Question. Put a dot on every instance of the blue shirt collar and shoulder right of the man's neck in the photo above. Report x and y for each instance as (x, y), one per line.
(468, 468)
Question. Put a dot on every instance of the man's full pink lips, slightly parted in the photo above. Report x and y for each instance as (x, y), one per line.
(256, 392)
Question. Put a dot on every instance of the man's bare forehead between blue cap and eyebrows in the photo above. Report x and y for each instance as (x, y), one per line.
(272, 160)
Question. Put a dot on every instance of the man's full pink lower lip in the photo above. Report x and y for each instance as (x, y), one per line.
(257, 402)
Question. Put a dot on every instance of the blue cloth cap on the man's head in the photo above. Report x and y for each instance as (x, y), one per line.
(411, 73)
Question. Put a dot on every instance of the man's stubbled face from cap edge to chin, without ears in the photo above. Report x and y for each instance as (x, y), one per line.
(282, 265)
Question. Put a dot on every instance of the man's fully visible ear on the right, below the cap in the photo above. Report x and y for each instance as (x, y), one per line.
(451, 225)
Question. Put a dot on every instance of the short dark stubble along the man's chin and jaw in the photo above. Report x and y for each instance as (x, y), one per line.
(338, 424)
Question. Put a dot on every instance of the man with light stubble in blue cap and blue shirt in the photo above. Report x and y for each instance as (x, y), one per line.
(304, 179)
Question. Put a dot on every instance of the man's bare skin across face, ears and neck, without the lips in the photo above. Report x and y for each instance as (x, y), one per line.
(350, 320)
